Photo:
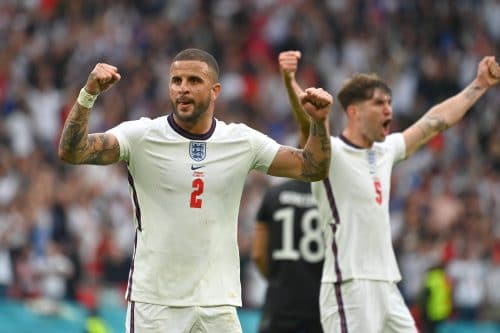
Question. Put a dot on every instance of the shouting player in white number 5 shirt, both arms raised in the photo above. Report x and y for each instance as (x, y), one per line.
(359, 291)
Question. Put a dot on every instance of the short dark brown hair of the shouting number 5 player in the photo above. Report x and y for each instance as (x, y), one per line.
(360, 88)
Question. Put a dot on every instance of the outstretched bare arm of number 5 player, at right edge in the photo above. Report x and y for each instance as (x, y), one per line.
(449, 112)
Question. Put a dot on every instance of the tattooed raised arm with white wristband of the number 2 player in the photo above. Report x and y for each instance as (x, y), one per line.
(76, 146)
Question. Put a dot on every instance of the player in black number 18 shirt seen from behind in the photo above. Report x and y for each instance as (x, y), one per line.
(288, 249)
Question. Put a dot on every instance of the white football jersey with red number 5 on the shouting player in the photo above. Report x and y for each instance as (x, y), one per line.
(354, 208)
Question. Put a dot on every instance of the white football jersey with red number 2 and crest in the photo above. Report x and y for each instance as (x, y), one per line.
(186, 190)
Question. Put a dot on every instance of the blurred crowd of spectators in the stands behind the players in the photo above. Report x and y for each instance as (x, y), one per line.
(66, 231)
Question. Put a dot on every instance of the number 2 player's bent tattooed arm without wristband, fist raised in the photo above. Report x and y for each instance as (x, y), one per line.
(311, 163)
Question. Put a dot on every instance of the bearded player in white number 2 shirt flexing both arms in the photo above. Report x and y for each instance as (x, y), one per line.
(186, 174)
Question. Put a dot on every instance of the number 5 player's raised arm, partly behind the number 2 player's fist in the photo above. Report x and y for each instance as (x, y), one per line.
(288, 61)
